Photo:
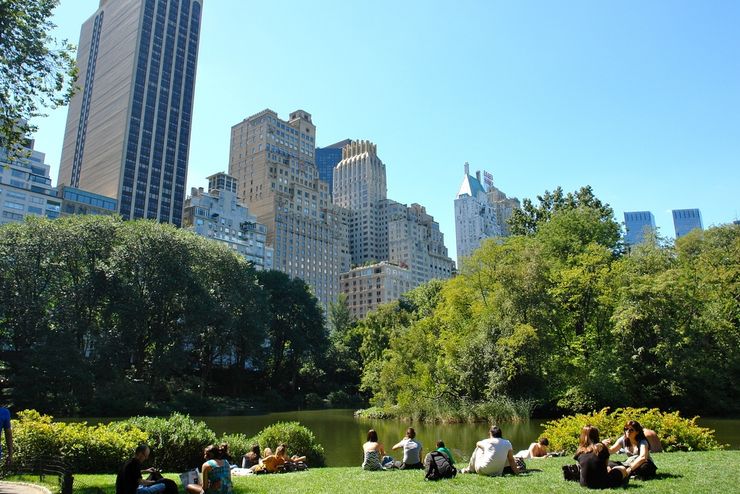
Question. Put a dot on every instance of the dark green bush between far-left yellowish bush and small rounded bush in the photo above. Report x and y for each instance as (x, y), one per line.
(177, 442)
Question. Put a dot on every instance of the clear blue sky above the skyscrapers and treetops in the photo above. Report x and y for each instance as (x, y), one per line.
(639, 99)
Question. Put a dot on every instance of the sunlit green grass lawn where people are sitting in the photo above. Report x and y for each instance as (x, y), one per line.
(714, 471)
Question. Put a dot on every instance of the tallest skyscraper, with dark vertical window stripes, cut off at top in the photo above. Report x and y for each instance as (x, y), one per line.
(128, 127)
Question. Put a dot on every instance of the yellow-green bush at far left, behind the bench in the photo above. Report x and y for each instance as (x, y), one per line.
(98, 448)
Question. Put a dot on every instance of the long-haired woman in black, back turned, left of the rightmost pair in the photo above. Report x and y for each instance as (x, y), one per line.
(592, 456)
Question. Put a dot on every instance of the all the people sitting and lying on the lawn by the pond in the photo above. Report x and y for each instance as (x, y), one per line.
(492, 456)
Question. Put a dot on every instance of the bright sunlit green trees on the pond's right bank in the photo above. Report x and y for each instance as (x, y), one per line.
(561, 316)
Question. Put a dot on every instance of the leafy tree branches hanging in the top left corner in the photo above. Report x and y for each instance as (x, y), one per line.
(36, 71)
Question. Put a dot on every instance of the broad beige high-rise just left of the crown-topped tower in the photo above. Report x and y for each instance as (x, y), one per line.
(273, 161)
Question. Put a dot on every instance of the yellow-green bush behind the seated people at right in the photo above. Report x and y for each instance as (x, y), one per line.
(675, 432)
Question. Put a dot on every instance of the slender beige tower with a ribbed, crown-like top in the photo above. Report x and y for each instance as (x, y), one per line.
(359, 185)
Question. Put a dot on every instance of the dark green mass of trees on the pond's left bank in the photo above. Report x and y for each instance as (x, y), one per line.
(110, 318)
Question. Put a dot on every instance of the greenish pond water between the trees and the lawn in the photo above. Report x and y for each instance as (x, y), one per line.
(342, 435)
